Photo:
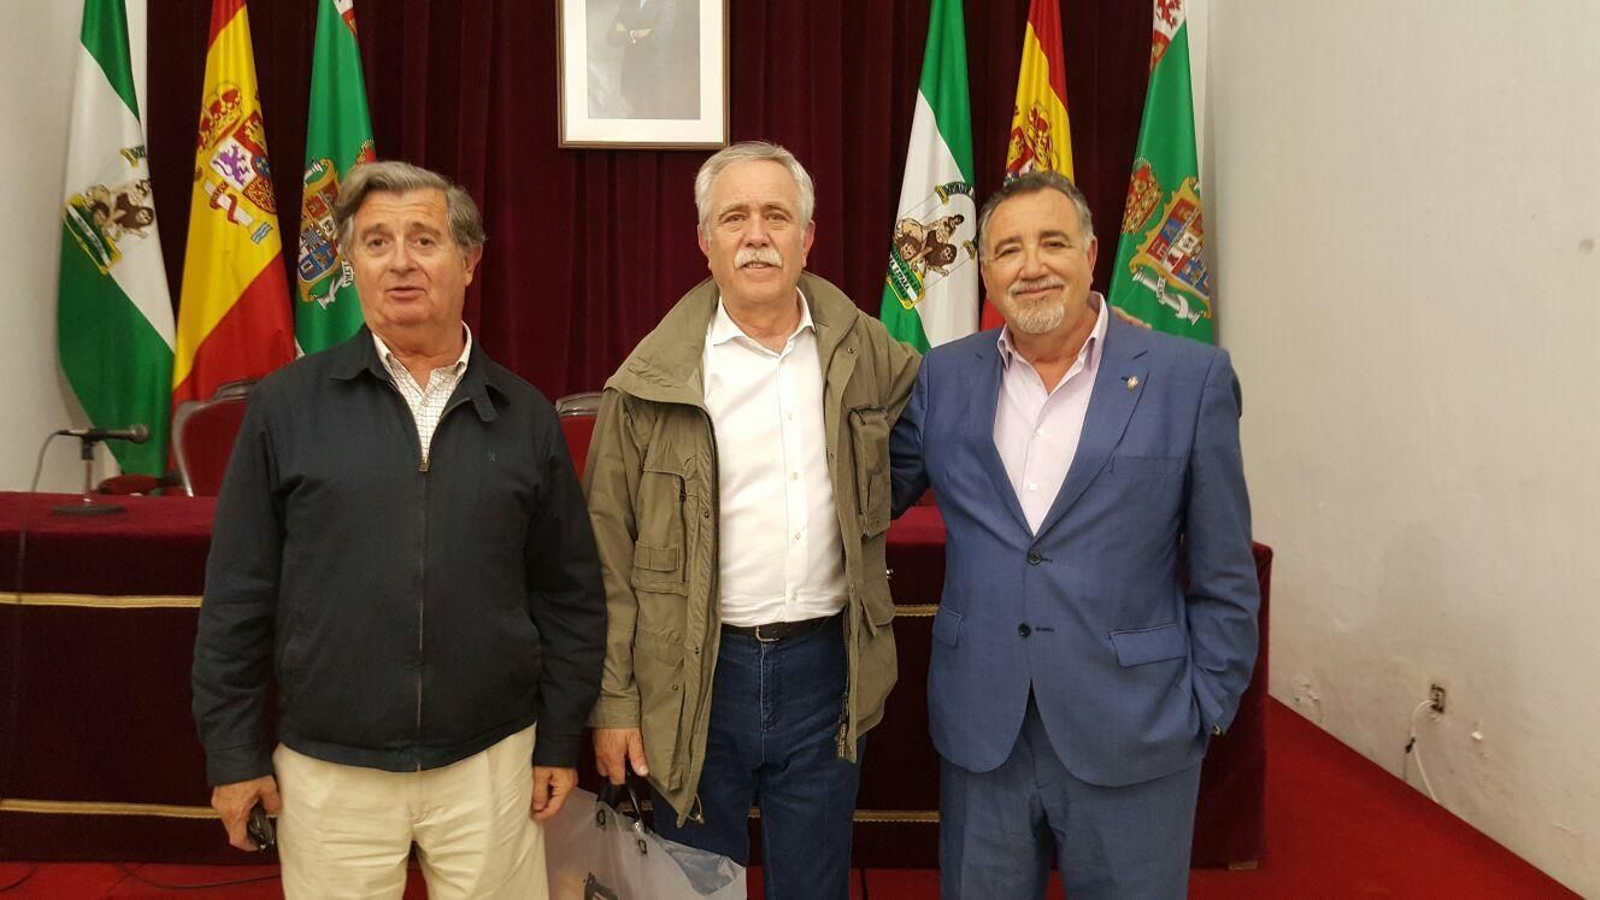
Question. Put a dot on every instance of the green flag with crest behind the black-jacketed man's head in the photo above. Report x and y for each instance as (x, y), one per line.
(338, 137)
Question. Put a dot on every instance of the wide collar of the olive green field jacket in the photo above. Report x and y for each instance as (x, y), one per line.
(666, 366)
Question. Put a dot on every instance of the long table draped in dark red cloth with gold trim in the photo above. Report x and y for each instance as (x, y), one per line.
(98, 752)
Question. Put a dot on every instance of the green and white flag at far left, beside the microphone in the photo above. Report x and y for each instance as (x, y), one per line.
(114, 318)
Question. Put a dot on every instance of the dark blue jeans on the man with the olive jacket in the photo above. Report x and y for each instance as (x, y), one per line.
(774, 744)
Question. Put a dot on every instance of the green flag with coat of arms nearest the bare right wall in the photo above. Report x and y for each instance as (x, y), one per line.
(1159, 276)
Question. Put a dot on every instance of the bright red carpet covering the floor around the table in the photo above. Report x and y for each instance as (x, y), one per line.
(1337, 827)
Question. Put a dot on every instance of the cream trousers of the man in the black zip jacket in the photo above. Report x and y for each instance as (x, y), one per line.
(348, 832)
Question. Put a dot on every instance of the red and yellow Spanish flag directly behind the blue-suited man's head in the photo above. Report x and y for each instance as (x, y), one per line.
(1041, 134)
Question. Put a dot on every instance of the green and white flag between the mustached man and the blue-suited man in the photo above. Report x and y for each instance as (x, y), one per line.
(930, 295)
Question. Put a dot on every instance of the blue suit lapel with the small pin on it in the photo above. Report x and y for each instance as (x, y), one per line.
(1111, 406)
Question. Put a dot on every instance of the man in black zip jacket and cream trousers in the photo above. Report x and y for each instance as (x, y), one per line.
(404, 552)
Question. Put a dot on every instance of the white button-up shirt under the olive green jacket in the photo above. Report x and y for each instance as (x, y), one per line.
(782, 553)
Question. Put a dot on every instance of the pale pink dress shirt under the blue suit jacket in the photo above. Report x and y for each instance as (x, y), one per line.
(1038, 432)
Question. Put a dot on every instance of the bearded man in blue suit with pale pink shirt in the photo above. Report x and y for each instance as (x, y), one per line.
(1098, 622)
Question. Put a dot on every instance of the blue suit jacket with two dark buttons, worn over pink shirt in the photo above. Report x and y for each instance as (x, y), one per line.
(1130, 670)
